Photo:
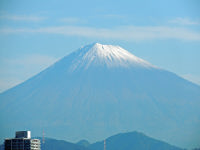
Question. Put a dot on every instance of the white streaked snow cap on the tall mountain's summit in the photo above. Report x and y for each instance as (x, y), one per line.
(105, 55)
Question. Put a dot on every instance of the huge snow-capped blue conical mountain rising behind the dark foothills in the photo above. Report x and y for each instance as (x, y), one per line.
(100, 90)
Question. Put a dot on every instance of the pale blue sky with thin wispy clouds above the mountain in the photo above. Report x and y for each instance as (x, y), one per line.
(34, 34)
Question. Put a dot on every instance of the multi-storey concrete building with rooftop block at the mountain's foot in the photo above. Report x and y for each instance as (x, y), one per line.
(22, 141)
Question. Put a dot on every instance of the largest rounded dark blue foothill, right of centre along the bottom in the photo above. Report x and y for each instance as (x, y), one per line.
(132, 141)
